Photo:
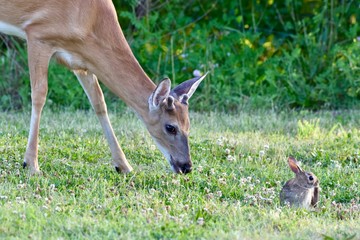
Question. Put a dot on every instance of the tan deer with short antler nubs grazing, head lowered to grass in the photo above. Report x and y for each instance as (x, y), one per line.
(85, 36)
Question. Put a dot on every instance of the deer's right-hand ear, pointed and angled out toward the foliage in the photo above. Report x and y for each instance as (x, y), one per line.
(185, 90)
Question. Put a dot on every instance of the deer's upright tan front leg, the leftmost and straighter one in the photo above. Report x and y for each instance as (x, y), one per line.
(39, 55)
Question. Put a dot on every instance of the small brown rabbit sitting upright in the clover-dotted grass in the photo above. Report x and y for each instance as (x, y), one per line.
(301, 191)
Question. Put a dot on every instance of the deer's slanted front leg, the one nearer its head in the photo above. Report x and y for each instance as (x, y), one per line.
(92, 88)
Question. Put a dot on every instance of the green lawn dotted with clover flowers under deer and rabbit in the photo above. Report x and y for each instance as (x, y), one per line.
(239, 168)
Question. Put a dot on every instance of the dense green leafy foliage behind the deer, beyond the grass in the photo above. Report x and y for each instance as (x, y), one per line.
(261, 54)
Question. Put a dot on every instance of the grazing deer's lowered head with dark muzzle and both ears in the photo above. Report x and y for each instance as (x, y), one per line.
(169, 123)
